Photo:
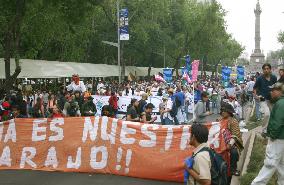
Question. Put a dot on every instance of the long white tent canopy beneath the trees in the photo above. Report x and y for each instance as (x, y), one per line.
(56, 69)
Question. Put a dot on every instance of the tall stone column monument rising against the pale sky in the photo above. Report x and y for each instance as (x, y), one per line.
(257, 57)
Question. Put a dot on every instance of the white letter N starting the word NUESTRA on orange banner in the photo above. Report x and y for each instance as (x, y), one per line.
(90, 128)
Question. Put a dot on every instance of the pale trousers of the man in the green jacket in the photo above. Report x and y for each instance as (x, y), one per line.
(273, 162)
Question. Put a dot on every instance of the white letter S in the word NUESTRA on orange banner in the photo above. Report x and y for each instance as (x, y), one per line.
(153, 138)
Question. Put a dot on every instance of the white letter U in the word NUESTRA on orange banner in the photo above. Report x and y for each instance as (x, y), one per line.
(104, 135)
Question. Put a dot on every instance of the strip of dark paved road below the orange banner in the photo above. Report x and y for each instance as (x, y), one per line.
(28, 177)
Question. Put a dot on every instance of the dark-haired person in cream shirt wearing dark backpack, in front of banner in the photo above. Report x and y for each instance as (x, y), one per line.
(205, 166)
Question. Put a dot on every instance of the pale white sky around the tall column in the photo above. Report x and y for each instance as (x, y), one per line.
(240, 20)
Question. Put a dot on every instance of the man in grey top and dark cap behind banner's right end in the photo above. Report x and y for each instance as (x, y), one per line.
(201, 113)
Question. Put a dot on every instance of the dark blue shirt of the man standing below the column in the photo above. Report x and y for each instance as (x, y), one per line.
(262, 86)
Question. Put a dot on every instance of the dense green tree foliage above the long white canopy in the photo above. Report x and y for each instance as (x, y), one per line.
(74, 30)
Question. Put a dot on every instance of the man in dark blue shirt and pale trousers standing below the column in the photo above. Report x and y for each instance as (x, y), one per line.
(262, 92)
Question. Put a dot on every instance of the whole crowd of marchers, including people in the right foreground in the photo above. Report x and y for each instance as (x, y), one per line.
(207, 96)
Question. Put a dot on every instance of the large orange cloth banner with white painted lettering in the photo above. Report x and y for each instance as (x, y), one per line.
(99, 145)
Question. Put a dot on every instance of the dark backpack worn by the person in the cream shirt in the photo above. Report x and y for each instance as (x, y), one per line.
(219, 168)
